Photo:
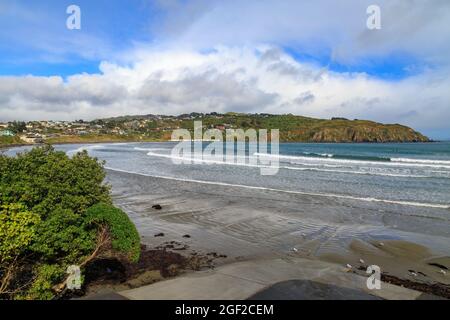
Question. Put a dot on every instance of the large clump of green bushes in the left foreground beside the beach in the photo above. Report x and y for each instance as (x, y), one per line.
(55, 212)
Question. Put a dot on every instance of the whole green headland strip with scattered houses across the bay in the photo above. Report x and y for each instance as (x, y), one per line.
(148, 128)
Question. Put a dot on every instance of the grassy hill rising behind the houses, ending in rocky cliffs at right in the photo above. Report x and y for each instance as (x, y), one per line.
(292, 128)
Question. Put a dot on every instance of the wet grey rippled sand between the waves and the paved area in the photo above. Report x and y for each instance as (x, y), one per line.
(243, 224)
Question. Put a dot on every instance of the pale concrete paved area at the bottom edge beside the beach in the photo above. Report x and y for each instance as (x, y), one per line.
(268, 279)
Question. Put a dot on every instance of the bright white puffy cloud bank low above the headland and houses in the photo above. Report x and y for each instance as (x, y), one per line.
(261, 79)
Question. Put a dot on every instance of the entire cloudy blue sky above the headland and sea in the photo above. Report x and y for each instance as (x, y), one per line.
(311, 58)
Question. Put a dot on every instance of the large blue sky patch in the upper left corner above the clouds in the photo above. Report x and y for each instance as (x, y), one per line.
(107, 26)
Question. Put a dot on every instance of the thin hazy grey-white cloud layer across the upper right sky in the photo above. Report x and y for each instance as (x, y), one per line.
(419, 28)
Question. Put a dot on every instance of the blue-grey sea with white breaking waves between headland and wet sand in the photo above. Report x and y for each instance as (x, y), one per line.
(410, 174)
